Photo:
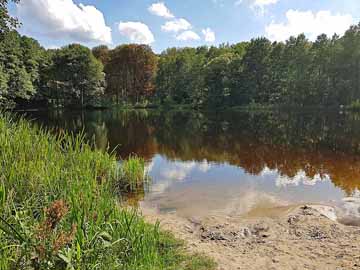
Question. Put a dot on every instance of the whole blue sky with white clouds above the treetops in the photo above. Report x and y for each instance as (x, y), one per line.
(169, 23)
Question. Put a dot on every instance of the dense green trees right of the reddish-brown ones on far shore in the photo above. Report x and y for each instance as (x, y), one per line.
(298, 72)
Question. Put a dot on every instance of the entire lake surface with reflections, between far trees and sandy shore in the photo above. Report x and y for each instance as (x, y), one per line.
(229, 164)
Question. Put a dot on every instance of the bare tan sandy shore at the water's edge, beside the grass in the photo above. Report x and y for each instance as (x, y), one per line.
(301, 237)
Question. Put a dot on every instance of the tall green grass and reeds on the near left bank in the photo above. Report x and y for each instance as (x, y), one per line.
(59, 210)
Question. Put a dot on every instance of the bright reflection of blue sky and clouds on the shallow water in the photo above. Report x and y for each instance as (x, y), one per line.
(177, 184)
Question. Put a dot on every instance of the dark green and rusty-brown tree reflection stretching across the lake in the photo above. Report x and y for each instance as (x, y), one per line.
(314, 143)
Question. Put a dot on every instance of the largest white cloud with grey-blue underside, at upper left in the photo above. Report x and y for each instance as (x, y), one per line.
(64, 19)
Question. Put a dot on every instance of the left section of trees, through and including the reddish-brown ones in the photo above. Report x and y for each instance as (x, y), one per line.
(72, 76)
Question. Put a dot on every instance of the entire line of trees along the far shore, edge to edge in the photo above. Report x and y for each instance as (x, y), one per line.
(297, 72)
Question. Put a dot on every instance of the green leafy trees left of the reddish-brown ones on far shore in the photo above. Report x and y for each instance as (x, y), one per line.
(67, 76)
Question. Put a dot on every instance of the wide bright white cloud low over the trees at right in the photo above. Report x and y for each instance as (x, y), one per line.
(312, 24)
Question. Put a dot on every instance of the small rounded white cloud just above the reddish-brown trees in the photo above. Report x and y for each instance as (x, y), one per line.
(137, 32)
